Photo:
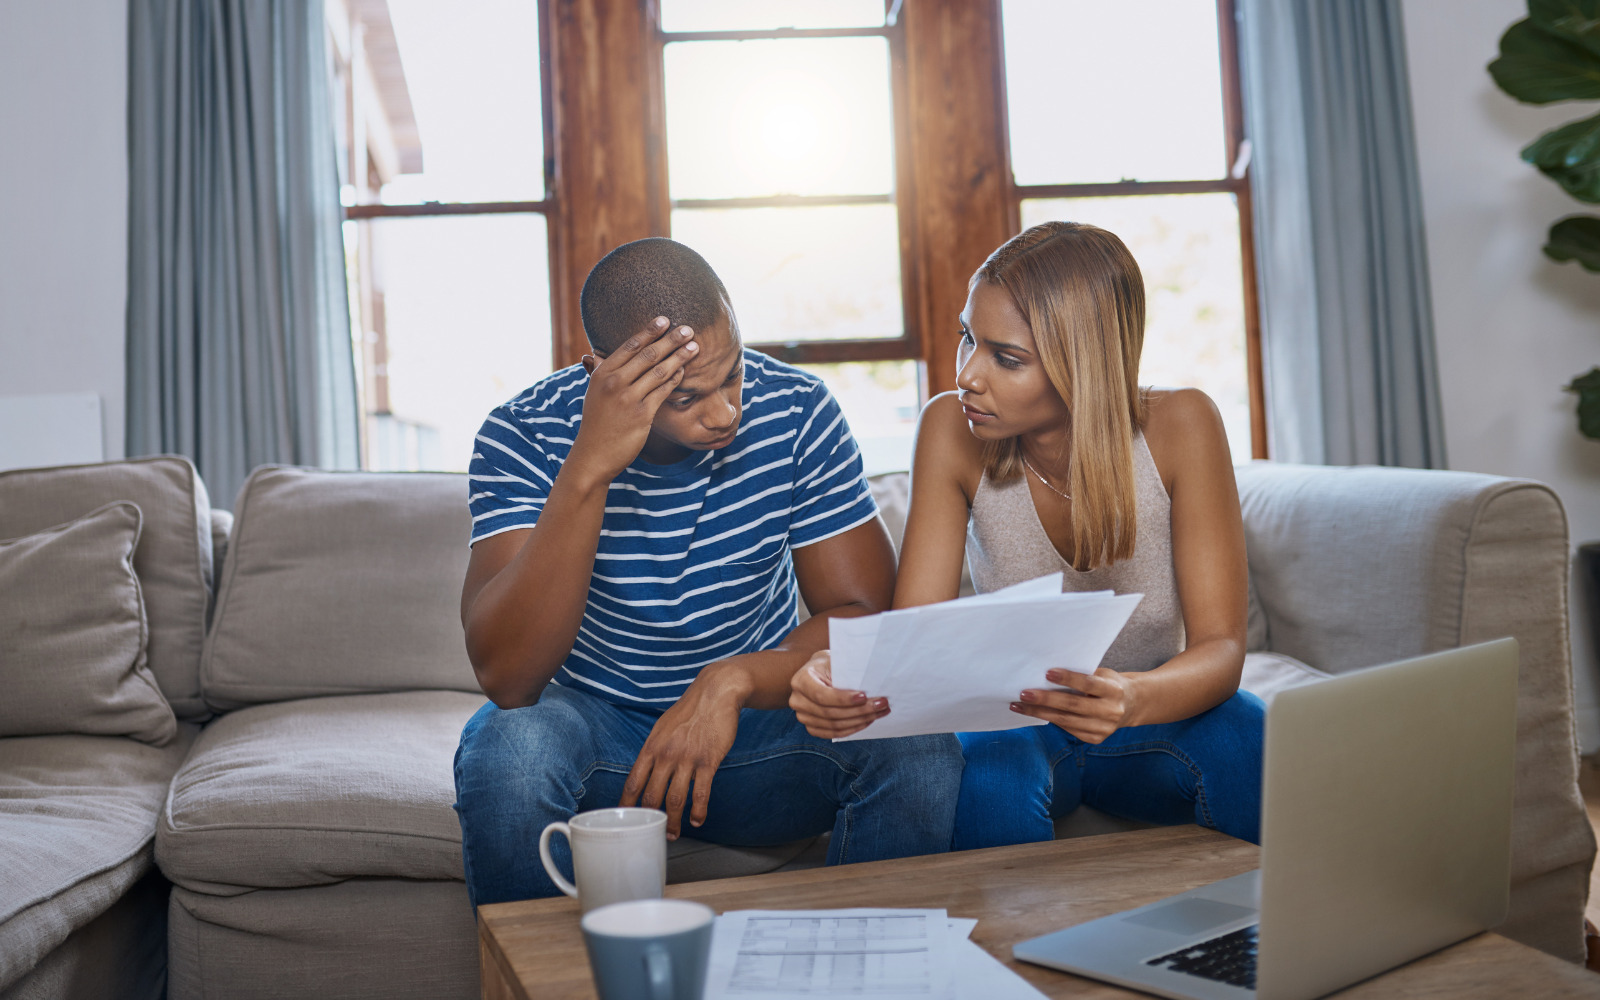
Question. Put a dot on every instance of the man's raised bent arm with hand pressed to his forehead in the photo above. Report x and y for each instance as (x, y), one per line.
(526, 591)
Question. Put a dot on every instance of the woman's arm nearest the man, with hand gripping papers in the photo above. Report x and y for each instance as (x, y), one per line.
(930, 564)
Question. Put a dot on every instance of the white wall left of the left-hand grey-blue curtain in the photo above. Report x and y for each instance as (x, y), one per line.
(65, 202)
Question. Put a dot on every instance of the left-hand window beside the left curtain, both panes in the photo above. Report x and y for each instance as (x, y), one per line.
(447, 218)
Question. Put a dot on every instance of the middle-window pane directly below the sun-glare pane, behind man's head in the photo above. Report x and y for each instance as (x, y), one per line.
(804, 274)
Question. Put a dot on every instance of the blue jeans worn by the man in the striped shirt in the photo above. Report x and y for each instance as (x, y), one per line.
(522, 769)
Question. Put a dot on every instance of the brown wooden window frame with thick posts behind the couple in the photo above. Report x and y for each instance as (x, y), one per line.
(606, 167)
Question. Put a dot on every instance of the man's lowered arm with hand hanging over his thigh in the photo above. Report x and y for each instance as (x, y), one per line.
(842, 577)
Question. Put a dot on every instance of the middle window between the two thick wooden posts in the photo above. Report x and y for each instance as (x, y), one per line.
(783, 170)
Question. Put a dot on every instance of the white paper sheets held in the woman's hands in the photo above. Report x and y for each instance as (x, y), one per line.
(958, 666)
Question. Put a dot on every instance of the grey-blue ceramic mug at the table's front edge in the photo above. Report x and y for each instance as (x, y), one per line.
(649, 950)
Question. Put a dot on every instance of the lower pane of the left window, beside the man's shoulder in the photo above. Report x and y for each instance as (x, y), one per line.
(457, 321)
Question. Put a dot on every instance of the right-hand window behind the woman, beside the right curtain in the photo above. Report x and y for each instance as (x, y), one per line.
(1129, 118)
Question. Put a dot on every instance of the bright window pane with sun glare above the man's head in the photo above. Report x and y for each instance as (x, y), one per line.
(769, 118)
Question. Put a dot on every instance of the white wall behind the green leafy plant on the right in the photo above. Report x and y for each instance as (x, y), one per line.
(1511, 326)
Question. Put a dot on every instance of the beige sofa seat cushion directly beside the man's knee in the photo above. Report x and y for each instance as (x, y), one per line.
(318, 791)
